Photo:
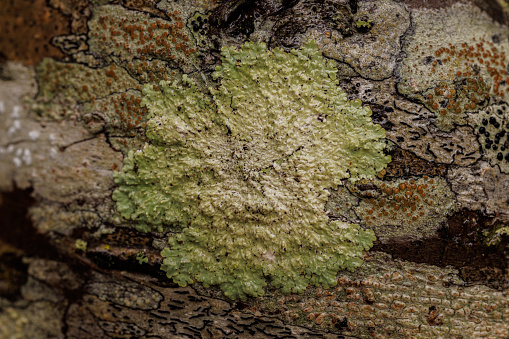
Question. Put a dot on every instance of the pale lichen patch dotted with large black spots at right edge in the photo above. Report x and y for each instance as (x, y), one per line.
(491, 125)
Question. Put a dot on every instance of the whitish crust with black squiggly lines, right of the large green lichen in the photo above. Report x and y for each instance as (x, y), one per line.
(411, 126)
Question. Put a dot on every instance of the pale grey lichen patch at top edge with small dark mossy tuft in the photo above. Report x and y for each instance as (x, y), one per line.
(371, 50)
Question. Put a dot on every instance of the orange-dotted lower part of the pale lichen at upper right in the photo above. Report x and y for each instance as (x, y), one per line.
(462, 76)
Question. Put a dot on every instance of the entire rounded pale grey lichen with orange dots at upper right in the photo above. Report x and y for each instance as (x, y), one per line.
(451, 65)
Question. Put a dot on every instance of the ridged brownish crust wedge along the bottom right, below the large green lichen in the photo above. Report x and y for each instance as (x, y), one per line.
(391, 298)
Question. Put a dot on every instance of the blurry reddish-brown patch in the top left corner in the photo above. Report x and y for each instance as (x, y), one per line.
(27, 28)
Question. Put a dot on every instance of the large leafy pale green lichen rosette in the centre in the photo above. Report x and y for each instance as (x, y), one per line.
(244, 169)
